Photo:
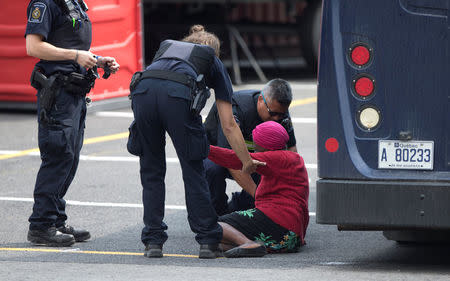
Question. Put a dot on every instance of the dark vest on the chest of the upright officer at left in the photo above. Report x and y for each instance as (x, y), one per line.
(75, 32)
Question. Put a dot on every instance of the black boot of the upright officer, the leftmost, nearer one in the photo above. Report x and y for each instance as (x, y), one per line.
(50, 237)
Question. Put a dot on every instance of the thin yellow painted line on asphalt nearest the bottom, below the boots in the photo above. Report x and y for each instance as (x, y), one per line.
(75, 251)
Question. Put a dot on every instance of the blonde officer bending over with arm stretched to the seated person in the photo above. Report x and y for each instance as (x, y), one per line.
(168, 98)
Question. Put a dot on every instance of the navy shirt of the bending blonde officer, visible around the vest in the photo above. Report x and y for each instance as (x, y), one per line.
(217, 79)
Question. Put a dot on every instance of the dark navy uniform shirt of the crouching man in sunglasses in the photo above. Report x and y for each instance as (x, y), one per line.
(246, 117)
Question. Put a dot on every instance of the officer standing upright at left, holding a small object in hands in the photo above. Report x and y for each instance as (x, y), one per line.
(59, 34)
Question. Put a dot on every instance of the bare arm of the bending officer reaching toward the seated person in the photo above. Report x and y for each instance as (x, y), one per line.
(234, 136)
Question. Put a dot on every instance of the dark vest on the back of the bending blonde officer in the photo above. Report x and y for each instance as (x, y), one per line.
(199, 57)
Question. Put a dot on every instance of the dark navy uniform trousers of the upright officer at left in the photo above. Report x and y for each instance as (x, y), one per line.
(60, 142)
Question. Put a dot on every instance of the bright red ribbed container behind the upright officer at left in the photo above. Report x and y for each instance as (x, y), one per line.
(116, 32)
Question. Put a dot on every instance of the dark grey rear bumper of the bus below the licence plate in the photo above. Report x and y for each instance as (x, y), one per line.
(383, 205)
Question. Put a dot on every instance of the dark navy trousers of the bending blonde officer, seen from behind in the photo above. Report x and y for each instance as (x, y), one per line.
(160, 106)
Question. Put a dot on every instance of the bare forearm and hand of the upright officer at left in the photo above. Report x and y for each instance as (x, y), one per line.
(40, 49)
